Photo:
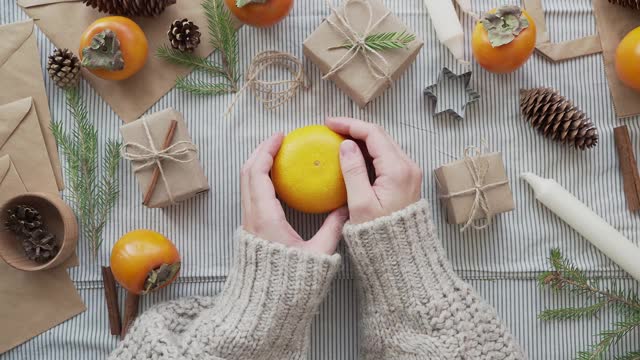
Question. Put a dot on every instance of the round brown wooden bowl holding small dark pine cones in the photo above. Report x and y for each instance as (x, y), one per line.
(59, 219)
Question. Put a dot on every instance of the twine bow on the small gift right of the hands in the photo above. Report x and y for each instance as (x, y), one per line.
(478, 169)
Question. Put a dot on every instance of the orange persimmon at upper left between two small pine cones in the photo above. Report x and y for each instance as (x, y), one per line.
(114, 48)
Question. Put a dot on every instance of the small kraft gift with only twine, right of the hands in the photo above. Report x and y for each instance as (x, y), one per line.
(475, 189)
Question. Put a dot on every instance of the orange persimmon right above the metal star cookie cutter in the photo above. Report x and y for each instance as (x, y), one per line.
(504, 39)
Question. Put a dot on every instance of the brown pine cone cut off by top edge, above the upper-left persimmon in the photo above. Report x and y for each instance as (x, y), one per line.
(130, 7)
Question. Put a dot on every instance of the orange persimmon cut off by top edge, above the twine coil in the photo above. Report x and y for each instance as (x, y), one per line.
(260, 13)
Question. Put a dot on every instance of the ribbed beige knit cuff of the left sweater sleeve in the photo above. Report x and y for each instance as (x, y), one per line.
(270, 298)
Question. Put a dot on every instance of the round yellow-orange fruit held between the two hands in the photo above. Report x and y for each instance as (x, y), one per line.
(306, 171)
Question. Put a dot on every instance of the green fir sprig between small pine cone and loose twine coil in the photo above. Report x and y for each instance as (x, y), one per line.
(224, 38)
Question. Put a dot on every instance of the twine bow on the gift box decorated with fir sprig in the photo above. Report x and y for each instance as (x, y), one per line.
(376, 63)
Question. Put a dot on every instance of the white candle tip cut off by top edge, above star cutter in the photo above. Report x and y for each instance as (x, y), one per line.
(447, 24)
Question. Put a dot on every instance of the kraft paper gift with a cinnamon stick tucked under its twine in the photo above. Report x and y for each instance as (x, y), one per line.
(164, 157)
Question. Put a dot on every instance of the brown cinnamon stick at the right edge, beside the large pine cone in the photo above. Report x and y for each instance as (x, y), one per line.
(629, 167)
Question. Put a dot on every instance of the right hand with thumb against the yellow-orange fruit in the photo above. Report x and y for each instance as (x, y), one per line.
(398, 181)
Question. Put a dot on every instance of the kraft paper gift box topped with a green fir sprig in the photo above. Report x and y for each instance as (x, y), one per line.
(363, 48)
